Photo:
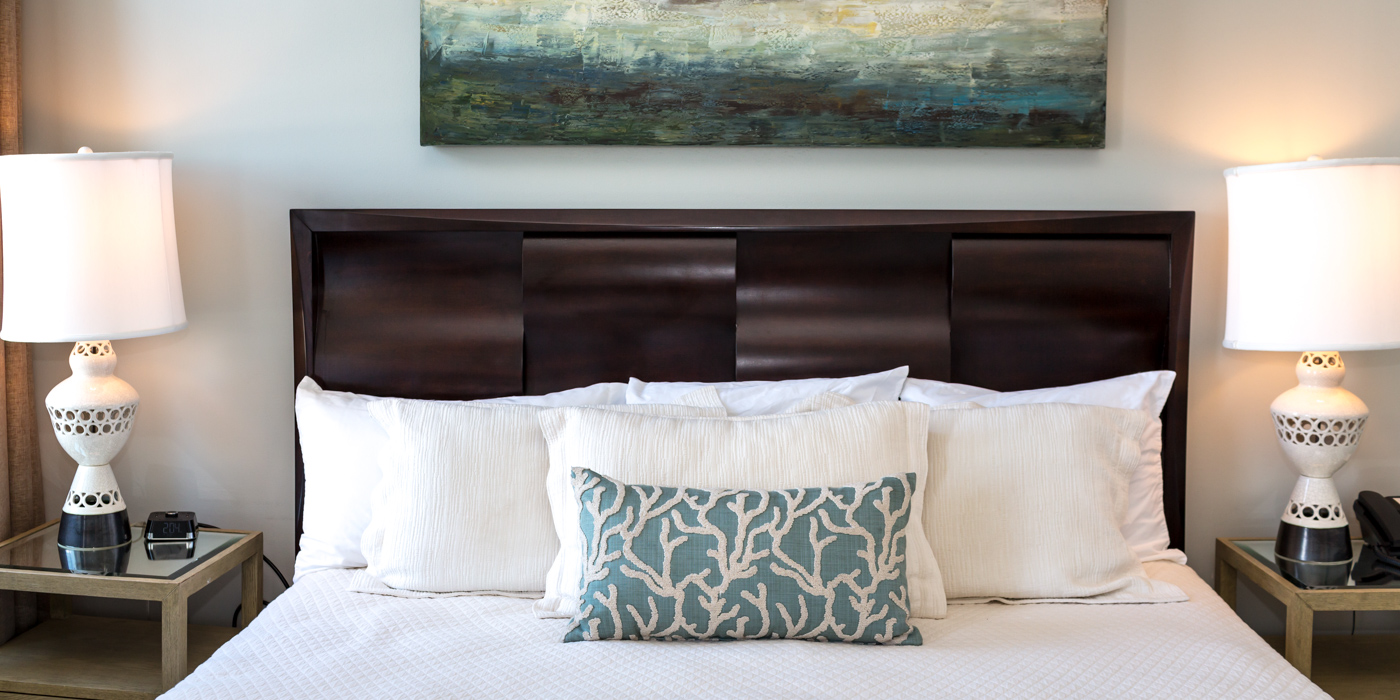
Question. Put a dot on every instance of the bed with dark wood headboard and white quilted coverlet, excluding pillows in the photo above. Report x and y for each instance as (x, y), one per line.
(391, 302)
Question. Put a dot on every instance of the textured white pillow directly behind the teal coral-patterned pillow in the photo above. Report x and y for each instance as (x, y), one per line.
(829, 447)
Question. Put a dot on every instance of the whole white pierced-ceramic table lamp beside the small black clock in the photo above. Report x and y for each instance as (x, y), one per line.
(90, 258)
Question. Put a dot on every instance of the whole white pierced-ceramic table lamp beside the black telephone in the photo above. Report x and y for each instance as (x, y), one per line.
(1315, 268)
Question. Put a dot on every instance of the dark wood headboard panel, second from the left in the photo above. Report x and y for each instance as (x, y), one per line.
(611, 307)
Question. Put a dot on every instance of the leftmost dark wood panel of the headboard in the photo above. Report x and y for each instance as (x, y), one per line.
(397, 314)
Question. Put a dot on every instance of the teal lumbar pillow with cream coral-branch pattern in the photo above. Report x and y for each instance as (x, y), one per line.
(692, 565)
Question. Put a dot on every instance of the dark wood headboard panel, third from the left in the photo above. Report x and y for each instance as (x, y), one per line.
(836, 304)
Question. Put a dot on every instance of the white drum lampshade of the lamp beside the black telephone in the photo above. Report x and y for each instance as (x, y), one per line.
(1314, 255)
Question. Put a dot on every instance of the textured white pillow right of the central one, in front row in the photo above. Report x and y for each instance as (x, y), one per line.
(1025, 503)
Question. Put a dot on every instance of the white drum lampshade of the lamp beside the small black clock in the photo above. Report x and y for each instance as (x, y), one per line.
(89, 247)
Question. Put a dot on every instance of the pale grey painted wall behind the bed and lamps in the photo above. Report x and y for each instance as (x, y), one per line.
(272, 106)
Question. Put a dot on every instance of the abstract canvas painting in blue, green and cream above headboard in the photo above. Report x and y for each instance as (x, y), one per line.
(978, 73)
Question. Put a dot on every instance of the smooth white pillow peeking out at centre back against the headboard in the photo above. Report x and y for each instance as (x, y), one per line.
(765, 398)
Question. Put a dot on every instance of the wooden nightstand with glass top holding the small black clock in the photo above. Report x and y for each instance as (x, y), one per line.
(113, 659)
